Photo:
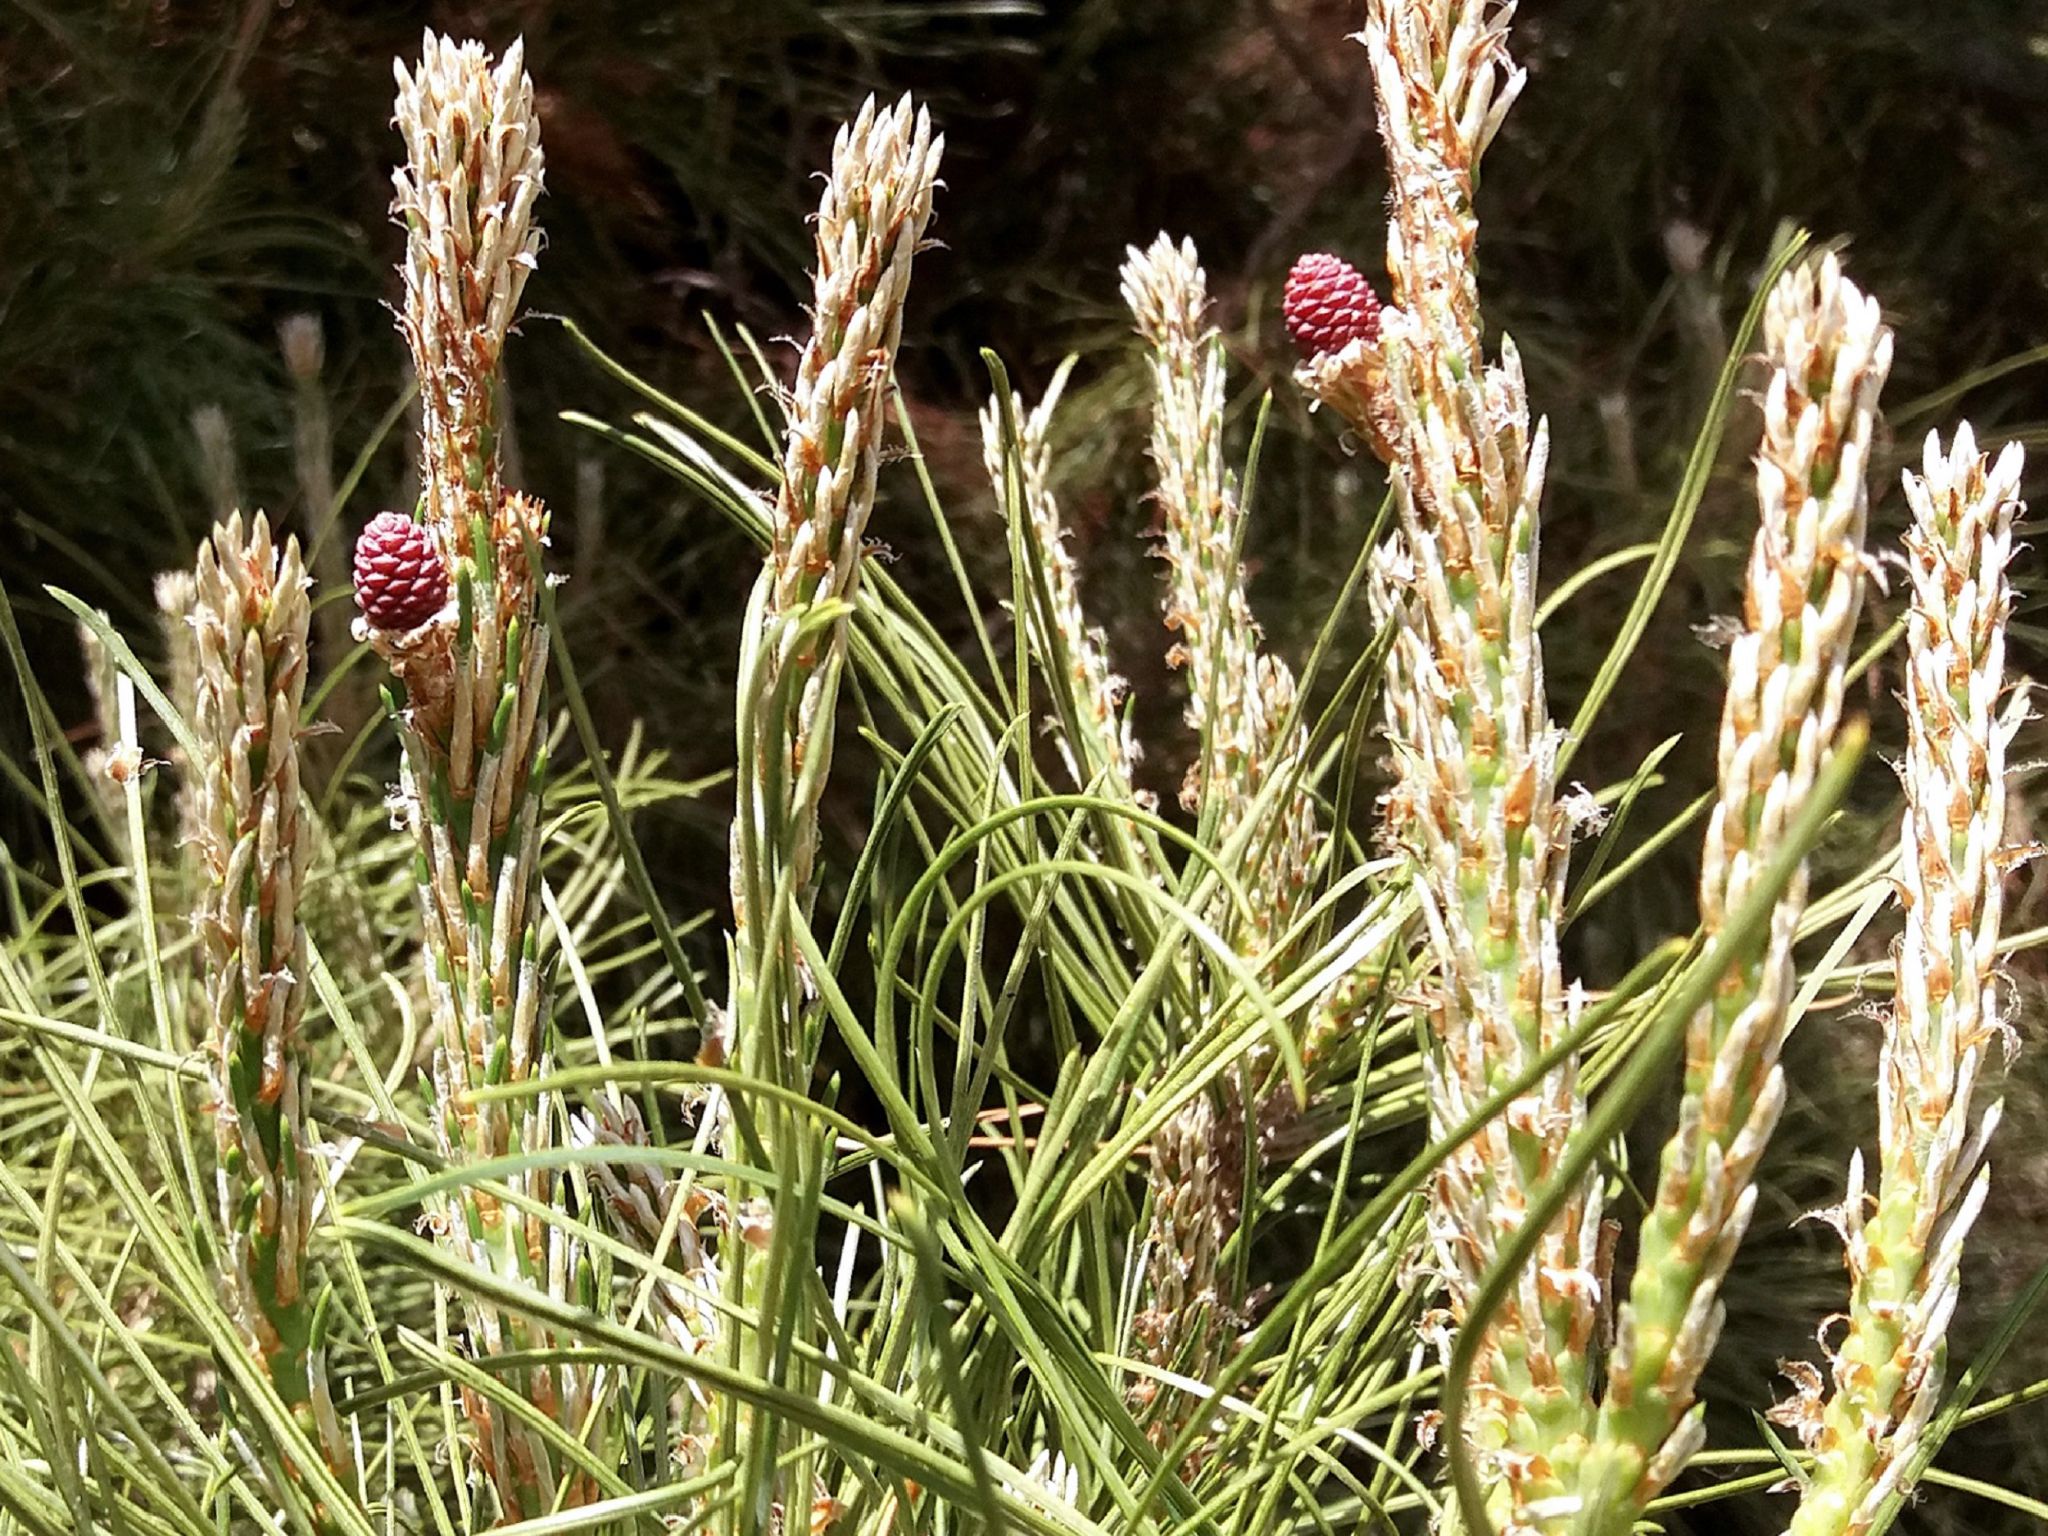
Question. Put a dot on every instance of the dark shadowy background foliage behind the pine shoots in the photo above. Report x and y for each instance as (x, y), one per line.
(179, 177)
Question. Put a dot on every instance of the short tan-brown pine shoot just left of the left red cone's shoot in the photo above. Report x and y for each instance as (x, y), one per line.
(255, 839)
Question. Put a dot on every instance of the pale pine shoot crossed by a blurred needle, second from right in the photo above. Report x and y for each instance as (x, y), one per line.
(1830, 353)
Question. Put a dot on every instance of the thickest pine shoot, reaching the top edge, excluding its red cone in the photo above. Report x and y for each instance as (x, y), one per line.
(1476, 798)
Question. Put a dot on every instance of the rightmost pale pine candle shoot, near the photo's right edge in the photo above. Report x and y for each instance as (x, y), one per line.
(1906, 1252)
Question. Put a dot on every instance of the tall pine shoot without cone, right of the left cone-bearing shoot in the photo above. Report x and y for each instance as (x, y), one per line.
(871, 224)
